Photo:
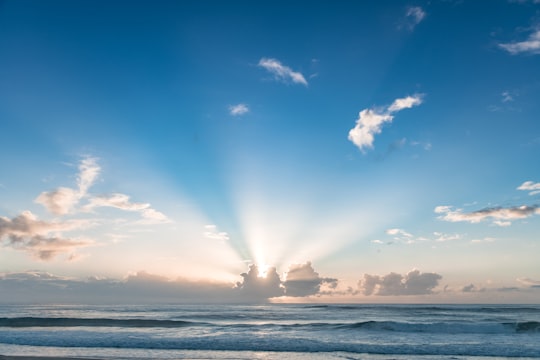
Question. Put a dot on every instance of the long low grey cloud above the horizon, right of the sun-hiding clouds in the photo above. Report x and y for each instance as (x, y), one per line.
(393, 284)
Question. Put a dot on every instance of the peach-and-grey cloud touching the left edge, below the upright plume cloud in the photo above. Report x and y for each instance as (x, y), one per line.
(40, 239)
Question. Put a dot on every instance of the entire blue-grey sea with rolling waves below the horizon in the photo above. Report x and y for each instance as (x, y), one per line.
(274, 331)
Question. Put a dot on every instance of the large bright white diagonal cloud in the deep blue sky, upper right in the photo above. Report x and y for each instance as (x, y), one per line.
(370, 121)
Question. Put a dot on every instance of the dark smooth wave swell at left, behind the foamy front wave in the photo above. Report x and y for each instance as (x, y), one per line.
(92, 322)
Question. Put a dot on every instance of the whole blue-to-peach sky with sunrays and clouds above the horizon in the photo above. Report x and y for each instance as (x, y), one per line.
(240, 151)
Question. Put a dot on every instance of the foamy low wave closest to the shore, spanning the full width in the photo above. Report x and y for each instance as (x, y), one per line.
(247, 342)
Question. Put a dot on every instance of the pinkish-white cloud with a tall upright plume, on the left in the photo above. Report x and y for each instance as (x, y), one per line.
(62, 200)
